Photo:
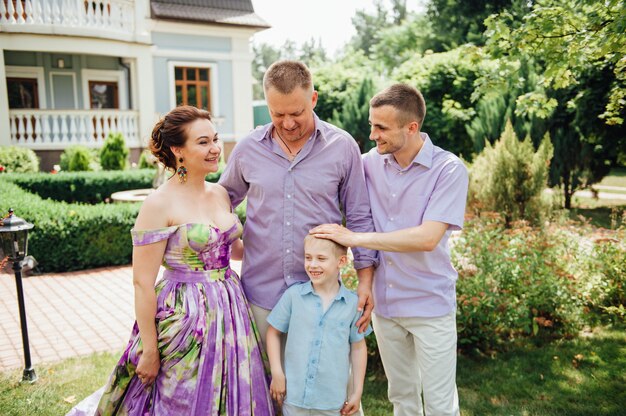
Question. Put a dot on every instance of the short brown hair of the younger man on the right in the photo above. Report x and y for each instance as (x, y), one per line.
(408, 101)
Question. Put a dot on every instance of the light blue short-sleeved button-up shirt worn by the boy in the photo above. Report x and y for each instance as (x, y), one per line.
(317, 354)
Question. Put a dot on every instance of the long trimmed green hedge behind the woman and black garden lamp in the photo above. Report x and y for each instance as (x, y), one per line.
(69, 234)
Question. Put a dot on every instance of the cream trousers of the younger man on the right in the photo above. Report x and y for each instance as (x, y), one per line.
(419, 357)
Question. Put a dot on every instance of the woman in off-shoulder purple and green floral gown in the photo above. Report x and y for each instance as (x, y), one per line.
(194, 349)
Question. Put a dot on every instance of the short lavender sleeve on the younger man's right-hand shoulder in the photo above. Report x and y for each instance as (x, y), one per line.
(447, 202)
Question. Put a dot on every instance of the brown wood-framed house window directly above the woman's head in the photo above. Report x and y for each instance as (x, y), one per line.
(193, 86)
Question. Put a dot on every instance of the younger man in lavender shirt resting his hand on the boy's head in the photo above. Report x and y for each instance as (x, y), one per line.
(417, 193)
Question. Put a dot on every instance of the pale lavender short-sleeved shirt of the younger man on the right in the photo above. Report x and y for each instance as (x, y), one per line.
(432, 188)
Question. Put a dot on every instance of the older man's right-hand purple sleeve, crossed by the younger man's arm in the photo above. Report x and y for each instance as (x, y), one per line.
(356, 204)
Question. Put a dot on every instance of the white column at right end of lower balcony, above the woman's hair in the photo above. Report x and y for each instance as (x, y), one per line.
(144, 98)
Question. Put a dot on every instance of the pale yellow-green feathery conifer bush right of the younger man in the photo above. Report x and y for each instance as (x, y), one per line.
(510, 177)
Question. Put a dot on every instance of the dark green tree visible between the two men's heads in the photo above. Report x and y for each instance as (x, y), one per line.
(354, 114)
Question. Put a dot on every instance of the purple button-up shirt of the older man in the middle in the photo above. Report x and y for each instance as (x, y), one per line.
(288, 198)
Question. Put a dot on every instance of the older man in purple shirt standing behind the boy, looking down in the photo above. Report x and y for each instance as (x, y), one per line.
(296, 172)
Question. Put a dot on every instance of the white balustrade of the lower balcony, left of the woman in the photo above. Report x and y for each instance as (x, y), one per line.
(57, 129)
